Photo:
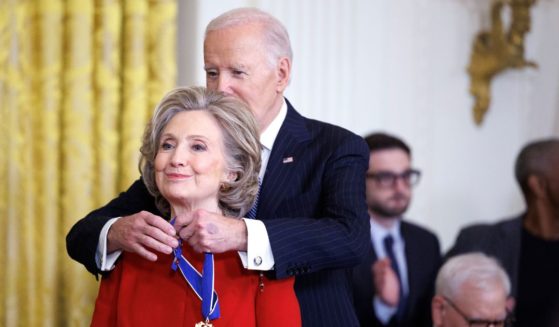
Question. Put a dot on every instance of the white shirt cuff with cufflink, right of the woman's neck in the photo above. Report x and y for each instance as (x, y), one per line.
(259, 254)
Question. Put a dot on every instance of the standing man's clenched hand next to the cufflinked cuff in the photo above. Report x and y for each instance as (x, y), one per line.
(210, 232)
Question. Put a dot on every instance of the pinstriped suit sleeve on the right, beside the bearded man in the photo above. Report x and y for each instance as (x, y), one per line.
(336, 233)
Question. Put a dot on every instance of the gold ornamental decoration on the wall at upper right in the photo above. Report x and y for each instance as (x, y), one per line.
(497, 49)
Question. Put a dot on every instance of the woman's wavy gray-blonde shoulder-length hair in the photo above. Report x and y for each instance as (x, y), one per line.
(240, 142)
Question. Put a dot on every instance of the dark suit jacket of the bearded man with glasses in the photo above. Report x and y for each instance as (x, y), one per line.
(423, 259)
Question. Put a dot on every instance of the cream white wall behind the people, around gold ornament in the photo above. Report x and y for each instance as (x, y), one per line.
(400, 66)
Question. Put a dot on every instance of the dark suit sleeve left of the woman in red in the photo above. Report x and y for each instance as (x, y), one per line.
(82, 239)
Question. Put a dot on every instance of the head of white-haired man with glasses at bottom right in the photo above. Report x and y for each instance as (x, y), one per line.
(471, 290)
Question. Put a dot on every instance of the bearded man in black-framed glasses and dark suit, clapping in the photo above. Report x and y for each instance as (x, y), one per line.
(394, 284)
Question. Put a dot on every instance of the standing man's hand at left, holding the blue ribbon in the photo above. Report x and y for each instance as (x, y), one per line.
(141, 233)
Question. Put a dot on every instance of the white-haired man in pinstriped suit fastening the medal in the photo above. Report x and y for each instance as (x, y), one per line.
(310, 218)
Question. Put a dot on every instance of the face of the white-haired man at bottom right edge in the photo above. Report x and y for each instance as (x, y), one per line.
(472, 304)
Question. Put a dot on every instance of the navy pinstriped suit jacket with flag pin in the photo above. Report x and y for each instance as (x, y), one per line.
(313, 206)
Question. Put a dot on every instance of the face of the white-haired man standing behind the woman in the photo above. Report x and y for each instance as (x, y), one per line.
(236, 62)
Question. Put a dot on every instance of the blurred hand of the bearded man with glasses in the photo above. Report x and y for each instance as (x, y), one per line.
(386, 282)
